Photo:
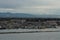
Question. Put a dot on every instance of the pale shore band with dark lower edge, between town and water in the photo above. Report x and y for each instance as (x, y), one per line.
(11, 31)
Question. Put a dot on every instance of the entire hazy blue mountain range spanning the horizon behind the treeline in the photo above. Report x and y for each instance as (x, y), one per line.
(25, 15)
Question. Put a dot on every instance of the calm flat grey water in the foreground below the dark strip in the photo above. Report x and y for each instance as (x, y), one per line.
(31, 36)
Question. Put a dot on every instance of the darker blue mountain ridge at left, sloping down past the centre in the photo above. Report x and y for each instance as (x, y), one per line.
(16, 15)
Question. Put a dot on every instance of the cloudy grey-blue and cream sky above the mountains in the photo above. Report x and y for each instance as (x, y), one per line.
(31, 6)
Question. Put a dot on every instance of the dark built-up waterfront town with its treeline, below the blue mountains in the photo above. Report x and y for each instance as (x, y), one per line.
(29, 23)
